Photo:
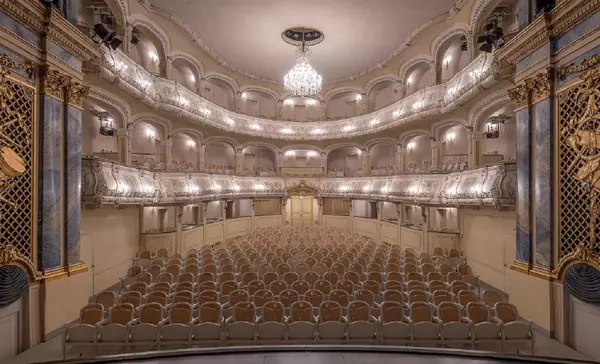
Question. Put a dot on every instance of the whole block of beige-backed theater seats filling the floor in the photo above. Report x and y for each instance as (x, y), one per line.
(221, 278)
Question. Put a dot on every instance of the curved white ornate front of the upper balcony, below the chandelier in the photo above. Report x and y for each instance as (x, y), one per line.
(172, 97)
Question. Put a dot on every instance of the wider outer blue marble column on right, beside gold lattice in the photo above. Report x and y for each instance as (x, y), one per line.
(544, 196)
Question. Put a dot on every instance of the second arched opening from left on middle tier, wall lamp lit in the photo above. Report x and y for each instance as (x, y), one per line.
(147, 144)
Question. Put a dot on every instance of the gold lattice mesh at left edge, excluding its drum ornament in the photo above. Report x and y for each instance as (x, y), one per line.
(16, 127)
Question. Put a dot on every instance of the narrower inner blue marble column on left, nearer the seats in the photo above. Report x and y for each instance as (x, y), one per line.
(73, 183)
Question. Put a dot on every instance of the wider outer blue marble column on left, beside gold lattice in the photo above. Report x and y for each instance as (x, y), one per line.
(50, 174)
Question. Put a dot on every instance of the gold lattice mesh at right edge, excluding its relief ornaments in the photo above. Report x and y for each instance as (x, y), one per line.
(574, 203)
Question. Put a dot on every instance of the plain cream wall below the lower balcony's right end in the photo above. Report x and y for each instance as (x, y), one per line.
(488, 242)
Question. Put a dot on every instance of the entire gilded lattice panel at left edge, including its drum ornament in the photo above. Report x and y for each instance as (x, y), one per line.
(16, 153)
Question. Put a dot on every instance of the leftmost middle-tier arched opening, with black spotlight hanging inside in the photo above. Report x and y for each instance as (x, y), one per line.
(94, 143)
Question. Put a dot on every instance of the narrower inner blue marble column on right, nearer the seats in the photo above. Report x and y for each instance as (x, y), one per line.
(523, 186)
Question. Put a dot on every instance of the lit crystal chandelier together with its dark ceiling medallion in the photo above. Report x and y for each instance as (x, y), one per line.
(302, 79)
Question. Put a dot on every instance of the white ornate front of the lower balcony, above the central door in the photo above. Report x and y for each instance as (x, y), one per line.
(110, 182)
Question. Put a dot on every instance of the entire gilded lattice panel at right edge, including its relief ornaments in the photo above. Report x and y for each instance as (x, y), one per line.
(579, 168)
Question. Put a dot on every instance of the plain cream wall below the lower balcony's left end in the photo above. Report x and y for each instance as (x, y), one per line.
(109, 242)
